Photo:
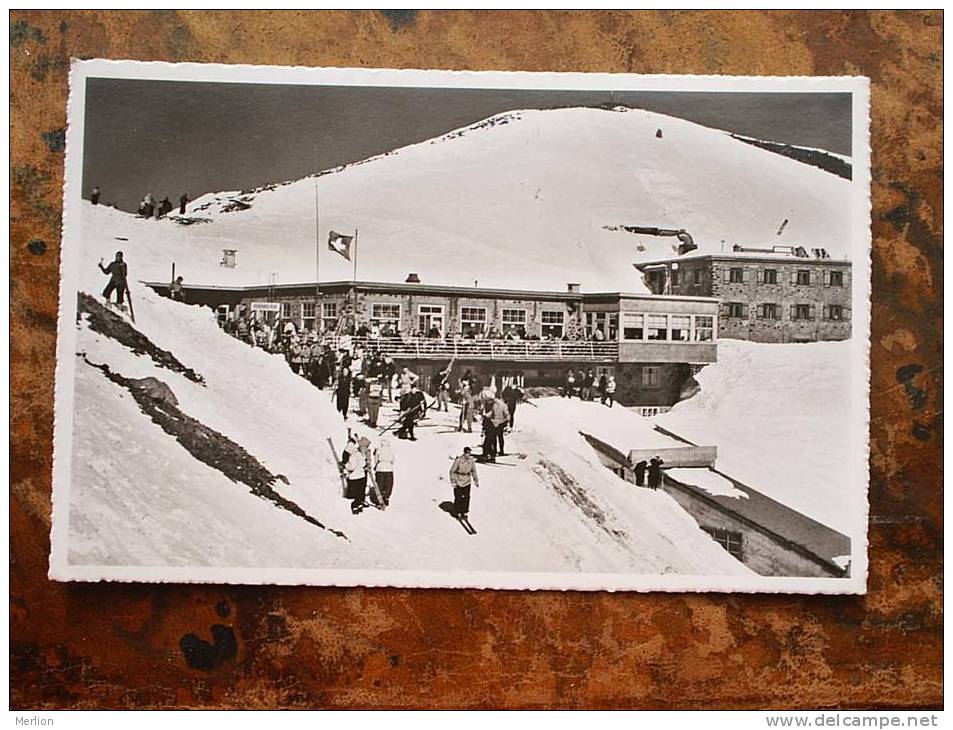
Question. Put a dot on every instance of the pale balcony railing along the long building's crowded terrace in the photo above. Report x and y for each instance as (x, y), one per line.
(463, 349)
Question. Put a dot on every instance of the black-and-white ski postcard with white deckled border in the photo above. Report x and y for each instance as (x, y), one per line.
(497, 330)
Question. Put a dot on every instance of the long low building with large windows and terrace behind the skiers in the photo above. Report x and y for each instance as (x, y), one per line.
(651, 344)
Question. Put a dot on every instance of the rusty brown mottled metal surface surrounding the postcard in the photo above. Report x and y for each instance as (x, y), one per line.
(145, 646)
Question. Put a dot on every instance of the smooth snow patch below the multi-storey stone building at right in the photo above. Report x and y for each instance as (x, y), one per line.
(780, 417)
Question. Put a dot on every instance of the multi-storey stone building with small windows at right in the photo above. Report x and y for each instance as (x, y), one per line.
(765, 296)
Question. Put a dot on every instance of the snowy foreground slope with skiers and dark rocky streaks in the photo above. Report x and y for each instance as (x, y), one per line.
(140, 499)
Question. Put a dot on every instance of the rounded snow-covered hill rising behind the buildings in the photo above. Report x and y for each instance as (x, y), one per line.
(520, 200)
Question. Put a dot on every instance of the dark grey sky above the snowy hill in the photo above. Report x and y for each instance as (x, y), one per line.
(170, 137)
